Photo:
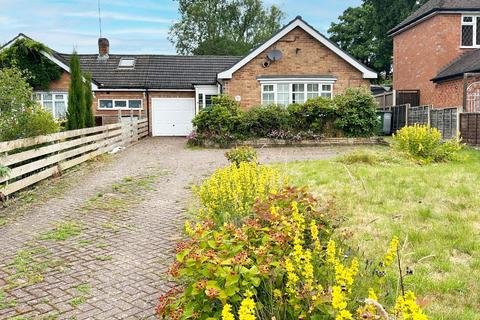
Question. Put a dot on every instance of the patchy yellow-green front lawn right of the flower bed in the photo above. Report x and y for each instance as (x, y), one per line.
(434, 209)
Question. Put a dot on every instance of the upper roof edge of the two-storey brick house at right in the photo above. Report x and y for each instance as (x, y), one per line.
(434, 6)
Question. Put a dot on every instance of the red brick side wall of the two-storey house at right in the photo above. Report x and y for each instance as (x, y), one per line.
(419, 54)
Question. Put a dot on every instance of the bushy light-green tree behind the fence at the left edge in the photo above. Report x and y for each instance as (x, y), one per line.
(20, 117)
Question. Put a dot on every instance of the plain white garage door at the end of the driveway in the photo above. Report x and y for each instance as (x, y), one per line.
(172, 116)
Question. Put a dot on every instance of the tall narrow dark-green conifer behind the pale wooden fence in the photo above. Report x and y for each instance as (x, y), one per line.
(76, 96)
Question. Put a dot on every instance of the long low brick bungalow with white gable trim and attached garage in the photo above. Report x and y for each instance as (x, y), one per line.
(296, 64)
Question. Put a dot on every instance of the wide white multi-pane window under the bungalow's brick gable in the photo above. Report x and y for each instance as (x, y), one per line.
(288, 93)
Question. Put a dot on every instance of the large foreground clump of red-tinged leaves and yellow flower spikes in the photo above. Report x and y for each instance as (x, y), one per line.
(282, 262)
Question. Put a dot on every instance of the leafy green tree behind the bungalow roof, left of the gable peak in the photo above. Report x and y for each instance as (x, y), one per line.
(223, 27)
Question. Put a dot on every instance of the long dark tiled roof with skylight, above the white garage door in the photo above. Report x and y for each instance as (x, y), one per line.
(154, 71)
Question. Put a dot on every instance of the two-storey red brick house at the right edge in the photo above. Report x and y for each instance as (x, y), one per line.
(437, 51)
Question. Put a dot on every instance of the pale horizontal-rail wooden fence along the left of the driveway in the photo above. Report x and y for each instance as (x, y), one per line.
(34, 159)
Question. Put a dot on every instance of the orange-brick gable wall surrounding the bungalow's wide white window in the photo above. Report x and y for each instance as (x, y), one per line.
(313, 58)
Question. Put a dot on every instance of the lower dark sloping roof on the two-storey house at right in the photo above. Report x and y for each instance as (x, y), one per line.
(467, 62)
